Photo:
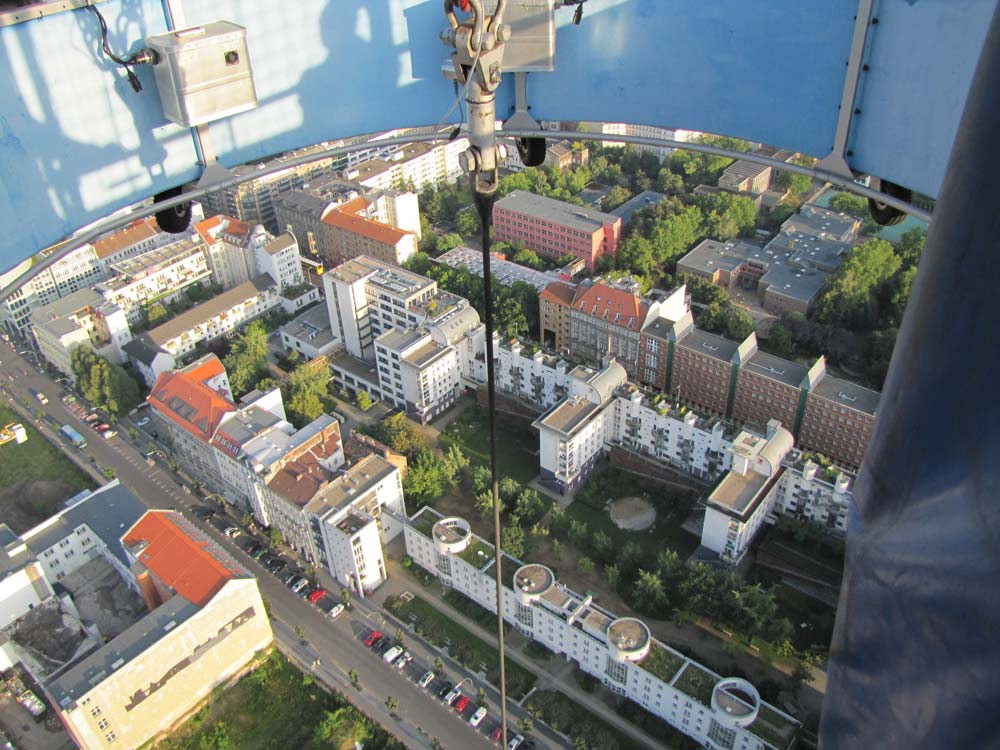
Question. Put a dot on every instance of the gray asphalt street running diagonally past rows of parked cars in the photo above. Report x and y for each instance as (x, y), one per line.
(338, 644)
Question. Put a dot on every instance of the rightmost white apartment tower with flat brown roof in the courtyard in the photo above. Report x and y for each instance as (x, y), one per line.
(740, 504)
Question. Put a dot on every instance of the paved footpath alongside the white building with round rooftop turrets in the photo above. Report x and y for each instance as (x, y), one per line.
(553, 677)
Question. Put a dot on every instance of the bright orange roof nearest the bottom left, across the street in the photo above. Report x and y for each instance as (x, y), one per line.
(182, 562)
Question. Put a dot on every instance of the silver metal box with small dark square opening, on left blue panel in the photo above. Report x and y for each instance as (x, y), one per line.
(203, 73)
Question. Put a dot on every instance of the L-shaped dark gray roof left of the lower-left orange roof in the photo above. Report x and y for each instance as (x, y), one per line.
(109, 511)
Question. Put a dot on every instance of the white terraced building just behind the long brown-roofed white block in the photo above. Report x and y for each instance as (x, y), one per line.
(157, 275)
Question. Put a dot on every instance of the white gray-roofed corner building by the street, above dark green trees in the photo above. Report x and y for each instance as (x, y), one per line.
(82, 318)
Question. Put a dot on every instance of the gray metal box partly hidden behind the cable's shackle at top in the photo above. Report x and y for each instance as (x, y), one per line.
(532, 45)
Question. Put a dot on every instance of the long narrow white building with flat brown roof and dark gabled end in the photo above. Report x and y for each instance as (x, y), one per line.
(156, 351)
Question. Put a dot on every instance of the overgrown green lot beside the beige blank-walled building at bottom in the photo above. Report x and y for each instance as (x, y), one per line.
(276, 705)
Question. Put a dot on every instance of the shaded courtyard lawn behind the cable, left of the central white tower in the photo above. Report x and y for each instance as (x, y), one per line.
(515, 443)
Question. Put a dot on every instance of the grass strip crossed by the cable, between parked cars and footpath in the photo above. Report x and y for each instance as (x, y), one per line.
(464, 647)
